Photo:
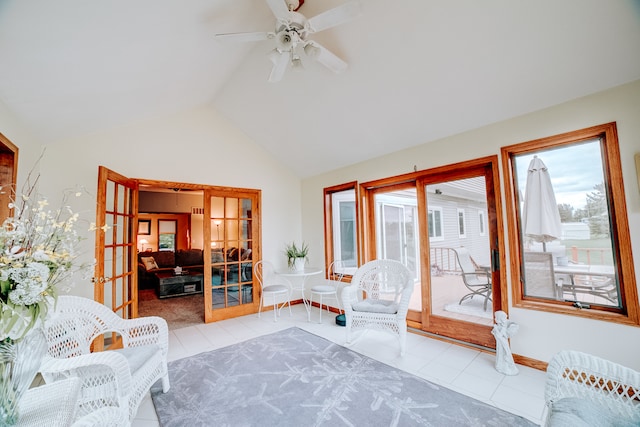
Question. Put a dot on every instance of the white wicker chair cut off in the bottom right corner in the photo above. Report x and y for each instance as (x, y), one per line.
(597, 384)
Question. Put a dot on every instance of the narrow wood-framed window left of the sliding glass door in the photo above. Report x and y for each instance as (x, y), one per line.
(341, 224)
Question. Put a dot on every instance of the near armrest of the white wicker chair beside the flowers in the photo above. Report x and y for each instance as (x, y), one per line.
(53, 369)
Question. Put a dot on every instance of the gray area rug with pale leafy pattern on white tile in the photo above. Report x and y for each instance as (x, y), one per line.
(294, 378)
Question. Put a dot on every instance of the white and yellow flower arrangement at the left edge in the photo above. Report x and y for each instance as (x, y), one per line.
(38, 256)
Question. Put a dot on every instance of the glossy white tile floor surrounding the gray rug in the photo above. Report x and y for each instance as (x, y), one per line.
(467, 371)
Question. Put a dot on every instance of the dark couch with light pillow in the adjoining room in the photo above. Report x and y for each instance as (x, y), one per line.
(188, 259)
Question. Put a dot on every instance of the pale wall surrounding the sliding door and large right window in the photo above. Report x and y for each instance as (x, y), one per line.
(541, 334)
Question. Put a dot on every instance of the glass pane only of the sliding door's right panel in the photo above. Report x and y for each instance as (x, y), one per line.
(460, 252)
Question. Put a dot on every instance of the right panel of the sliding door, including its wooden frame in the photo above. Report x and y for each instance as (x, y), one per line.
(461, 272)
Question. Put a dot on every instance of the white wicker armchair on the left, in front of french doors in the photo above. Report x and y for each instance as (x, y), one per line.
(110, 379)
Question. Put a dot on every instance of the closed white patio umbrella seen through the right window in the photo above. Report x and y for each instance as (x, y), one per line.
(540, 215)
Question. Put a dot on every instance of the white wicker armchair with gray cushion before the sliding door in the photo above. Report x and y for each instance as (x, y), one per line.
(378, 298)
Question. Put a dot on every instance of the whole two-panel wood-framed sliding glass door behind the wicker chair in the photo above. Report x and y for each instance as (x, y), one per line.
(424, 220)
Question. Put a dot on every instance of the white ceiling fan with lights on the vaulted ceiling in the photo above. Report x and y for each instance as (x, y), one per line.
(291, 35)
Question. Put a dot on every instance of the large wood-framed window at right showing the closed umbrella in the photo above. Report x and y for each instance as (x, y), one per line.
(569, 226)
